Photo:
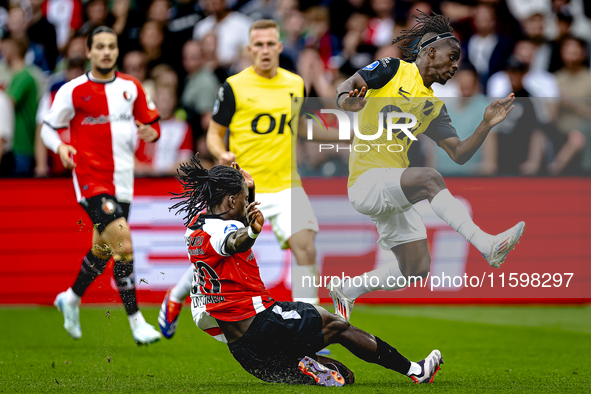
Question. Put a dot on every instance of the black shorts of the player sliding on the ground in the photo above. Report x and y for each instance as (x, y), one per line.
(277, 340)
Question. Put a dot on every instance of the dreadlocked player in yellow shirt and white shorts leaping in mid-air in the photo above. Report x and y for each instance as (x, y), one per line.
(380, 184)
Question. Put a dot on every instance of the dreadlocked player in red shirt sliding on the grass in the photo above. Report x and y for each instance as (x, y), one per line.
(274, 341)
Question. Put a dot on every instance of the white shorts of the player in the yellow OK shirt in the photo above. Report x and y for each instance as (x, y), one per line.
(289, 212)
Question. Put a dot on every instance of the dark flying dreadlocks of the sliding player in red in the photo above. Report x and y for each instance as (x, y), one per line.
(203, 188)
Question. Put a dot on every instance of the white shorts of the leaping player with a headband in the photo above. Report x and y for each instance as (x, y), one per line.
(377, 193)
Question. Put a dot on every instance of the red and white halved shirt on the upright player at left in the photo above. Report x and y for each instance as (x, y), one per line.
(101, 116)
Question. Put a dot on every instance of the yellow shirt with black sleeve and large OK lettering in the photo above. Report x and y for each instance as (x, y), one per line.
(263, 127)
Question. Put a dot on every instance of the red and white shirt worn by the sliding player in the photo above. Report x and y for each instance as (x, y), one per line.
(225, 287)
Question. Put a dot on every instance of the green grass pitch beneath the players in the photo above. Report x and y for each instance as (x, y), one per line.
(486, 350)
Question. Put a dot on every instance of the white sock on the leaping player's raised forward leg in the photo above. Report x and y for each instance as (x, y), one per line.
(454, 213)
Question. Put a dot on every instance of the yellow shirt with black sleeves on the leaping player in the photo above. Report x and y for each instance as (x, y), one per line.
(395, 86)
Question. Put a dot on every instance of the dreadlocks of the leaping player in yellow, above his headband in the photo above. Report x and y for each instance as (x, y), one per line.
(432, 25)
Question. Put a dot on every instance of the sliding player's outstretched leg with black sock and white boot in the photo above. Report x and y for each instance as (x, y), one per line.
(372, 349)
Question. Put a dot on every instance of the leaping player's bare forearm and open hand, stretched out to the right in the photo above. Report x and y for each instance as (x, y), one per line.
(461, 151)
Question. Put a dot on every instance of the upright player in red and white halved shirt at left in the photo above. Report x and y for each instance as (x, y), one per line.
(105, 111)
